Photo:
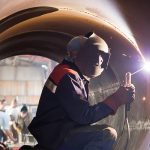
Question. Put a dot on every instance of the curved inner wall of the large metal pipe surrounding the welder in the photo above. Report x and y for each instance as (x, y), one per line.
(47, 36)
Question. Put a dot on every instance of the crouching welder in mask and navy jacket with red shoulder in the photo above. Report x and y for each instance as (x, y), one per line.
(64, 116)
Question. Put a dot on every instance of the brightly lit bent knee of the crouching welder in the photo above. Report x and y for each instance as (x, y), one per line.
(110, 133)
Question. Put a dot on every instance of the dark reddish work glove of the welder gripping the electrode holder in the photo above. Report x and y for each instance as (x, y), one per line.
(124, 95)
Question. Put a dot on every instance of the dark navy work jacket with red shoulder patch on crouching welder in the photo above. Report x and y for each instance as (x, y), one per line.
(64, 106)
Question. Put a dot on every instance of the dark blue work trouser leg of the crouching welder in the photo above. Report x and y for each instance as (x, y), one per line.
(95, 137)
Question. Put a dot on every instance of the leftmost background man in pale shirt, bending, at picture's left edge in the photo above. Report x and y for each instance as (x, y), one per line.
(4, 123)
